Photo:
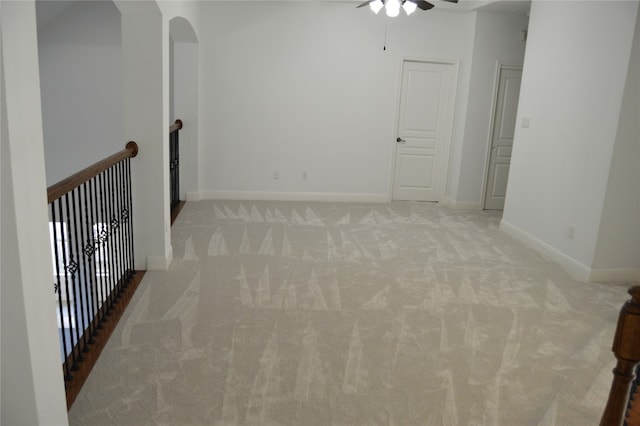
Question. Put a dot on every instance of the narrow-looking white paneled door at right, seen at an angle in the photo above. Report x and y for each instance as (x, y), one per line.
(504, 124)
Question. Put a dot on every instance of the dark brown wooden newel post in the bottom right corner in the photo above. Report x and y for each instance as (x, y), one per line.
(626, 348)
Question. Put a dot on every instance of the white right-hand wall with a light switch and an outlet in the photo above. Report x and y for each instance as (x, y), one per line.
(574, 76)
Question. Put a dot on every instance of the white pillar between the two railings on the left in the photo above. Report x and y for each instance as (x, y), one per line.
(145, 58)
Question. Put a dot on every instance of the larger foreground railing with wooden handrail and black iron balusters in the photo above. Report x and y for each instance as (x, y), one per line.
(91, 233)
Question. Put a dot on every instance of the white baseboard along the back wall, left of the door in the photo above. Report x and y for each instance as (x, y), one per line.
(292, 196)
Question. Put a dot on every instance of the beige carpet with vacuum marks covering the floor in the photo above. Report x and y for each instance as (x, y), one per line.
(354, 314)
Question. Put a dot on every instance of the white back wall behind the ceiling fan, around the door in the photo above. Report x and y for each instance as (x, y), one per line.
(294, 87)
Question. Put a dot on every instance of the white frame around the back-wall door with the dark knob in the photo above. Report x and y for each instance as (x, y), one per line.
(443, 177)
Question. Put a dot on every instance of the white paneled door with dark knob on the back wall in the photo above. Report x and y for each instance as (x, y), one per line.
(424, 130)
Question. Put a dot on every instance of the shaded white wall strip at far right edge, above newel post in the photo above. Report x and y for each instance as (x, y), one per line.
(618, 248)
